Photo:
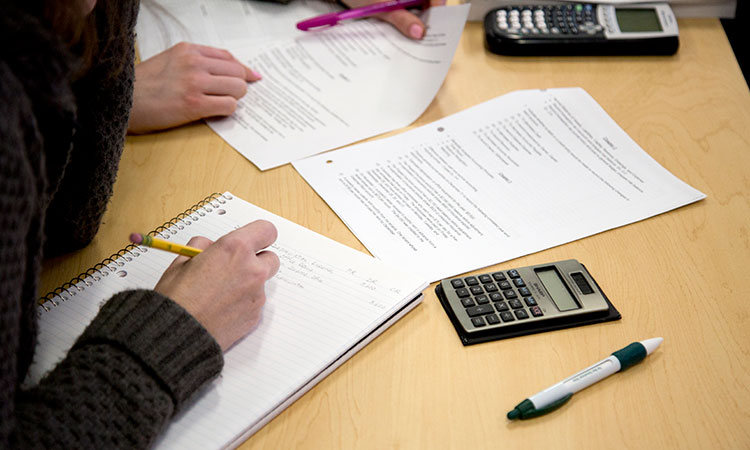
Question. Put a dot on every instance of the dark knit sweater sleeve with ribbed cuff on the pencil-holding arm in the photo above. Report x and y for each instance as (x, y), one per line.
(137, 364)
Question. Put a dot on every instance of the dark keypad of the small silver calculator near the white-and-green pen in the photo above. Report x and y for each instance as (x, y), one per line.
(499, 297)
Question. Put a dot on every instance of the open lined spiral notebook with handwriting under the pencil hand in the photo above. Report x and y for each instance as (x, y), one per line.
(326, 303)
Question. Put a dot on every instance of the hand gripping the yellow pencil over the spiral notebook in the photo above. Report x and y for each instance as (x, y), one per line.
(223, 287)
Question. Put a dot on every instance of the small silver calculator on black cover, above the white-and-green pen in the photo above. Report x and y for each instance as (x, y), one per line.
(516, 302)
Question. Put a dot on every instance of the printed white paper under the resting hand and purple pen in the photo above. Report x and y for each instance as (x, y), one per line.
(323, 89)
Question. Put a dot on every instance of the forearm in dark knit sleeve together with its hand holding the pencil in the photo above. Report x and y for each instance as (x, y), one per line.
(144, 356)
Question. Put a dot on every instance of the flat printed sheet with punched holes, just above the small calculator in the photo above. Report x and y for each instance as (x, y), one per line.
(515, 175)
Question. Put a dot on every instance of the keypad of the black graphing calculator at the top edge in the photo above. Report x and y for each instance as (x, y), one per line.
(569, 20)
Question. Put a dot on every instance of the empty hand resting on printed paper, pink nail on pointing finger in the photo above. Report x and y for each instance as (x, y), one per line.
(184, 83)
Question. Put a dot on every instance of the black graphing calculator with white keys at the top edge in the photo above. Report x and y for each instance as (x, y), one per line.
(582, 29)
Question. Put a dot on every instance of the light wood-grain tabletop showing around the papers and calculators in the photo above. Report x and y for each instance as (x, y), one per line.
(678, 275)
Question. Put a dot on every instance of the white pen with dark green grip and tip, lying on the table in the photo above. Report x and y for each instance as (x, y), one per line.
(556, 396)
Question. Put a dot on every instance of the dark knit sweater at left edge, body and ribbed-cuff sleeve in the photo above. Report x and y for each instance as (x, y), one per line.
(143, 356)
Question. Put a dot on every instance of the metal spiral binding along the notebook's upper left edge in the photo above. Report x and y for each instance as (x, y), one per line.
(114, 263)
